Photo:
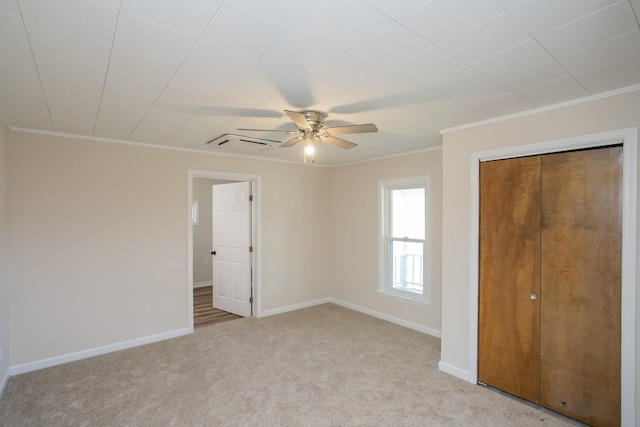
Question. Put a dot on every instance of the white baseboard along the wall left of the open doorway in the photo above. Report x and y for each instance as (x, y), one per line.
(84, 354)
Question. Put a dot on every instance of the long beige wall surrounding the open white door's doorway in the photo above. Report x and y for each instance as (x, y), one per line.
(99, 240)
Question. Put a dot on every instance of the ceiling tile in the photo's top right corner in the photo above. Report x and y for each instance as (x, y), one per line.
(604, 24)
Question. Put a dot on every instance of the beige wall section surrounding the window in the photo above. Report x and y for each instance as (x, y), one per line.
(354, 224)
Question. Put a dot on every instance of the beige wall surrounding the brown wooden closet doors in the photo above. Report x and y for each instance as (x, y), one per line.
(608, 114)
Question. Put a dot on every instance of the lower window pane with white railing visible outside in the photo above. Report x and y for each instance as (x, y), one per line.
(407, 265)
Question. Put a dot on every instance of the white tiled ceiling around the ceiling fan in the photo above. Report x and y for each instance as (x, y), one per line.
(181, 73)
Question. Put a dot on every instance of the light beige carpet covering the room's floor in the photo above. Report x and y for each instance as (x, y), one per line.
(320, 366)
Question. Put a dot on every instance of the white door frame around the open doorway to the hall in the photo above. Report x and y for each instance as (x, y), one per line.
(256, 226)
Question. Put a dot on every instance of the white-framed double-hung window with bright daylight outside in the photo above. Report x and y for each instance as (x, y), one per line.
(403, 248)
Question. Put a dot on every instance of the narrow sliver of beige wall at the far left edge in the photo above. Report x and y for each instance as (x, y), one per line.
(4, 251)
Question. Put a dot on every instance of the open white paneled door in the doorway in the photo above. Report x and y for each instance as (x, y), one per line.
(231, 247)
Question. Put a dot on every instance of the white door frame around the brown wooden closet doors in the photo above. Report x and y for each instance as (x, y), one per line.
(629, 139)
